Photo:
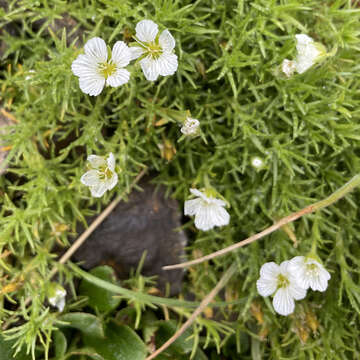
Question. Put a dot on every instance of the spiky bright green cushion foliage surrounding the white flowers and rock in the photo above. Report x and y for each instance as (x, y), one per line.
(306, 129)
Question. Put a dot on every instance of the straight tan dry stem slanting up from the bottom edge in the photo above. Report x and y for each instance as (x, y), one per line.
(222, 282)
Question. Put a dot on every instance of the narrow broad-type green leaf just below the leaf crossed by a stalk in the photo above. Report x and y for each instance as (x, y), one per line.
(87, 323)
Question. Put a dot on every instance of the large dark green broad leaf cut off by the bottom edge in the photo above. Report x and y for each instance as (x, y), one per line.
(120, 343)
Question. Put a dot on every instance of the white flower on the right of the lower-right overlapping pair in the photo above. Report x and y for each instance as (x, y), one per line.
(309, 273)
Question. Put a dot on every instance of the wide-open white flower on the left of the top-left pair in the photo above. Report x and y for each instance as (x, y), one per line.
(94, 69)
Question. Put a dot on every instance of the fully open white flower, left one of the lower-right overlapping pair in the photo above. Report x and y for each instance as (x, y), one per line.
(280, 281)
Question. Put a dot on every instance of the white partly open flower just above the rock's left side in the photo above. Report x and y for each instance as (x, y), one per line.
(102, 175)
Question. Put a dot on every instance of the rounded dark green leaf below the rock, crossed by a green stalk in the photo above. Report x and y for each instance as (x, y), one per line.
(99, 298)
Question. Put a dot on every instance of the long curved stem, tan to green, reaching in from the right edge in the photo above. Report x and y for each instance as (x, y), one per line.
(338, 194)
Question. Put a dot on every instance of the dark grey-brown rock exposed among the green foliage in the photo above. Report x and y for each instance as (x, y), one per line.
(147, 222)
